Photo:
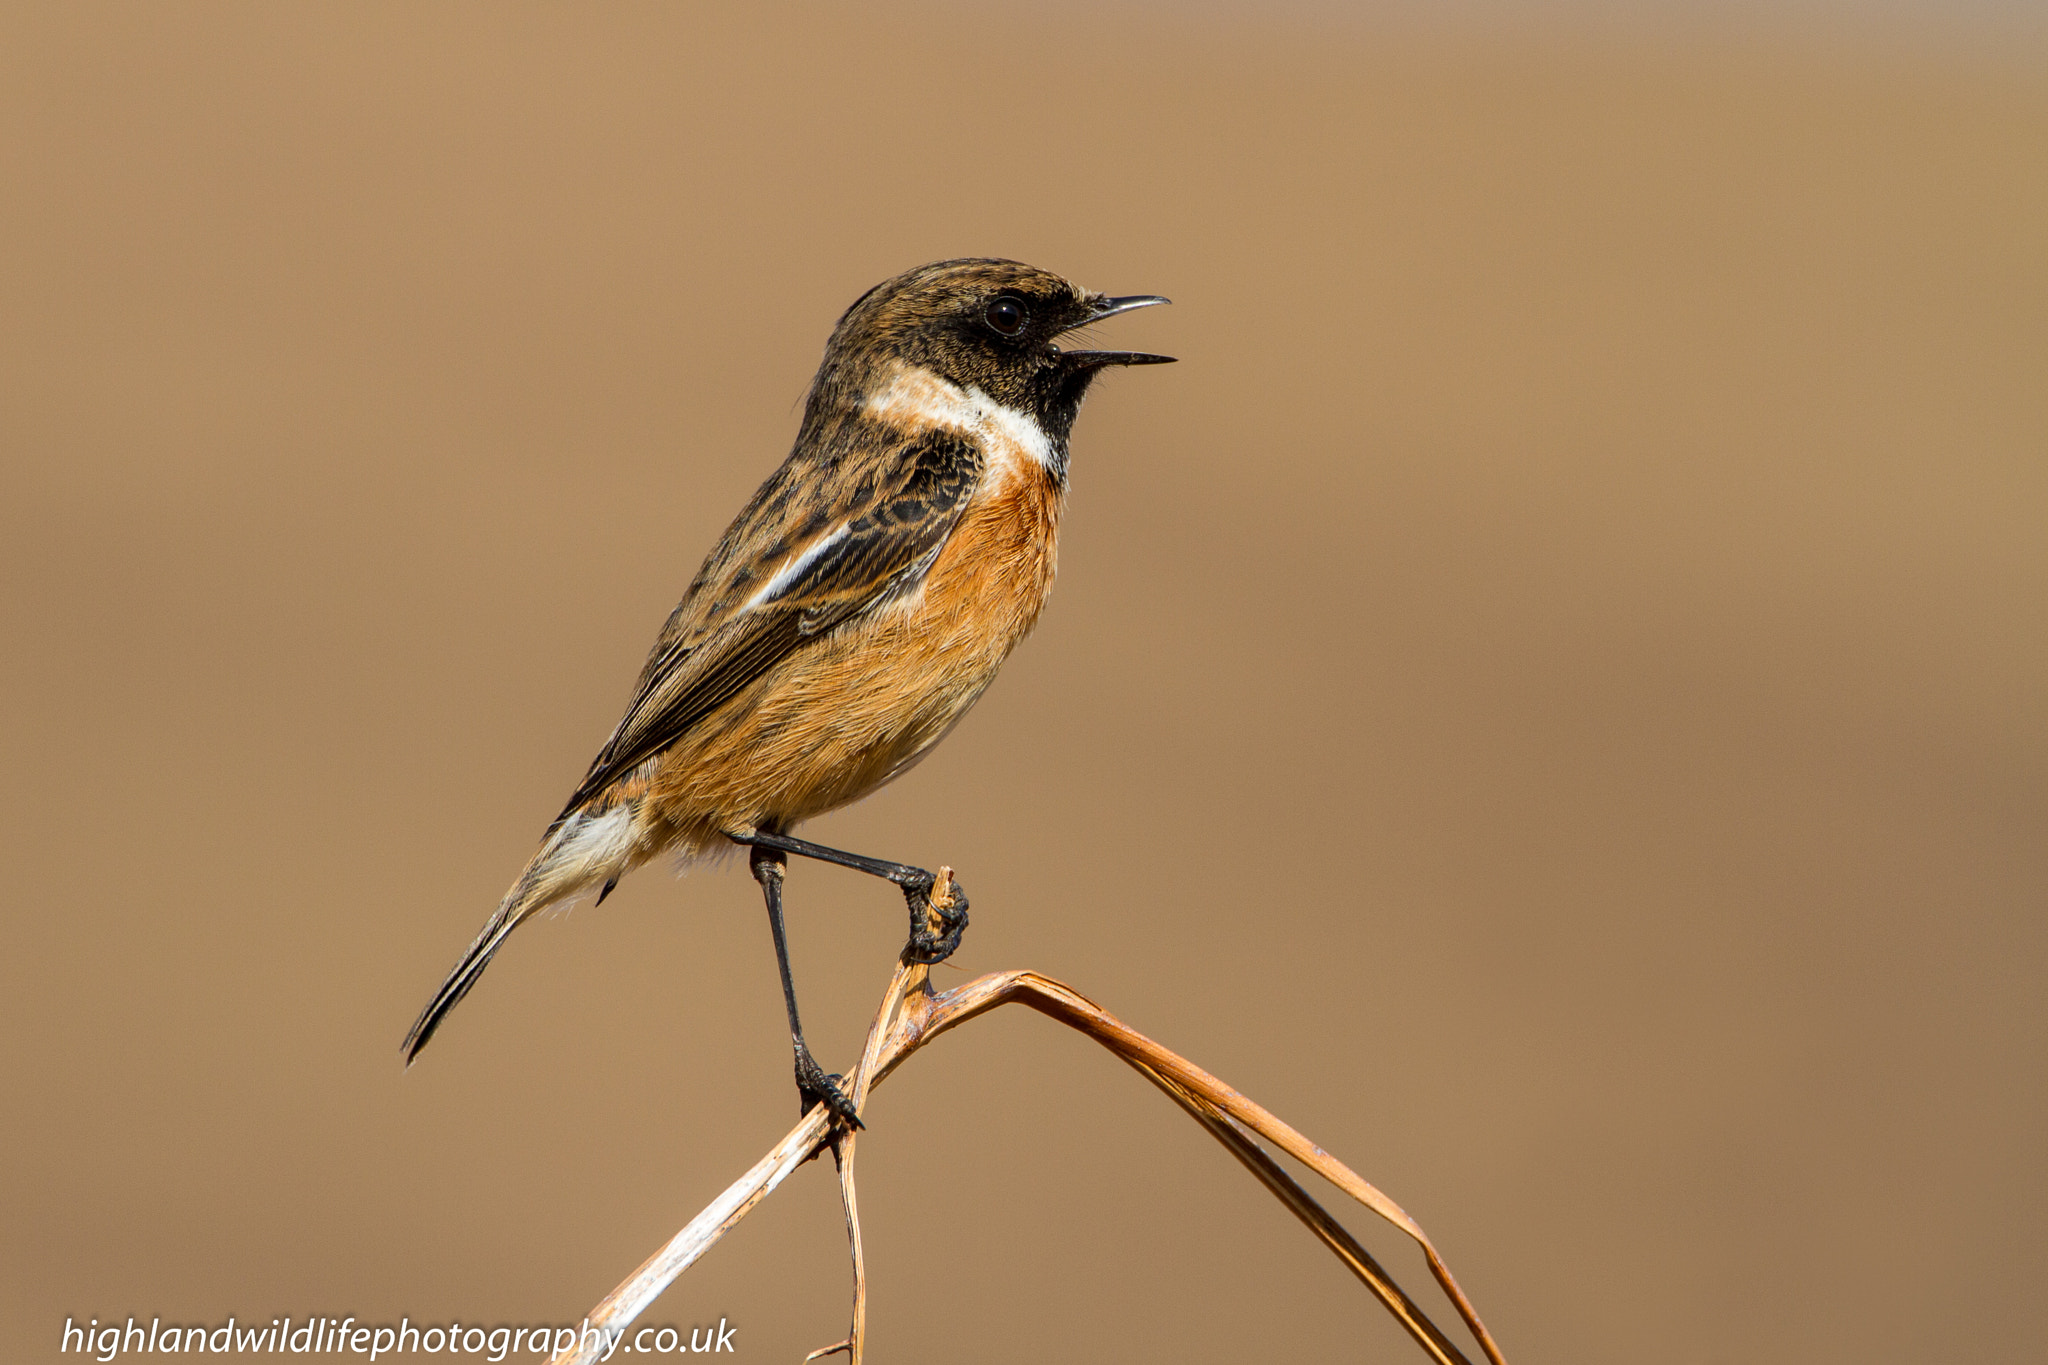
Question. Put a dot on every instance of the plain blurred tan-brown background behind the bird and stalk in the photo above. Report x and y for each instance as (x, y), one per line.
(1547, 697)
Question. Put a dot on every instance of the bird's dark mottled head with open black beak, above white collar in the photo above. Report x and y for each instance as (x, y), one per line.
(978, 324)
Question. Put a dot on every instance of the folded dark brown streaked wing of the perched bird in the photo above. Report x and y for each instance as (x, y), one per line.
(890, 543)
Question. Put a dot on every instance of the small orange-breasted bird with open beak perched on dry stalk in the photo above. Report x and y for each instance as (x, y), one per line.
(853, 611)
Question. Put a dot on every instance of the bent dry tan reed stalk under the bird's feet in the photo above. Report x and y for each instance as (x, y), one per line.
(912, 1016)
